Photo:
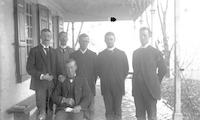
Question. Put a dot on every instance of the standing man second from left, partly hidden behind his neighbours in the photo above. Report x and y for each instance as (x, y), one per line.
(63, 52)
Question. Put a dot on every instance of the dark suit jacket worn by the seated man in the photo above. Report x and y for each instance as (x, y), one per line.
(81, 90)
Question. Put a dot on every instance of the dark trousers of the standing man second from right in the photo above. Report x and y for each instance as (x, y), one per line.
(112, 103)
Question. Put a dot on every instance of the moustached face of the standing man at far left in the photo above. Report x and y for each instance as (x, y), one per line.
(46, 38)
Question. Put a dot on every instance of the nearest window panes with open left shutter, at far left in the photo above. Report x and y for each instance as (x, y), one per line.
(24, 36)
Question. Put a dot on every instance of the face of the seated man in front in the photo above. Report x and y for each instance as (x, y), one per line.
(71, 68)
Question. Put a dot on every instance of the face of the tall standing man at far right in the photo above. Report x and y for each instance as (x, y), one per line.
(144, 37)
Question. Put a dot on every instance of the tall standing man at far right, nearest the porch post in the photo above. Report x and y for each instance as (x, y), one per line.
(149, 69)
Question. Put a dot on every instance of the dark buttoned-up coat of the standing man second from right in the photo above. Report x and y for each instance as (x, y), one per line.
(112, 70)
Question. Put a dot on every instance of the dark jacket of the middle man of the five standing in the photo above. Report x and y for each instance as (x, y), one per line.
(87, 66)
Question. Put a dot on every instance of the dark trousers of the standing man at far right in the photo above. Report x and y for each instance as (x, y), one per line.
(144, 102)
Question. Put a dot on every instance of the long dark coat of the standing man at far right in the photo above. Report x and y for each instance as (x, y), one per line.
(146, 62)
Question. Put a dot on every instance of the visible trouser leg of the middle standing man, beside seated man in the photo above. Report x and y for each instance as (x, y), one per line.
(89, 113)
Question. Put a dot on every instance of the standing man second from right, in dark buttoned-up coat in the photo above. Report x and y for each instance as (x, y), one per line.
(112, 70)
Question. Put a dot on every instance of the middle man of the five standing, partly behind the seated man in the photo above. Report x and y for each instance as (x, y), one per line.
(86, 61)
